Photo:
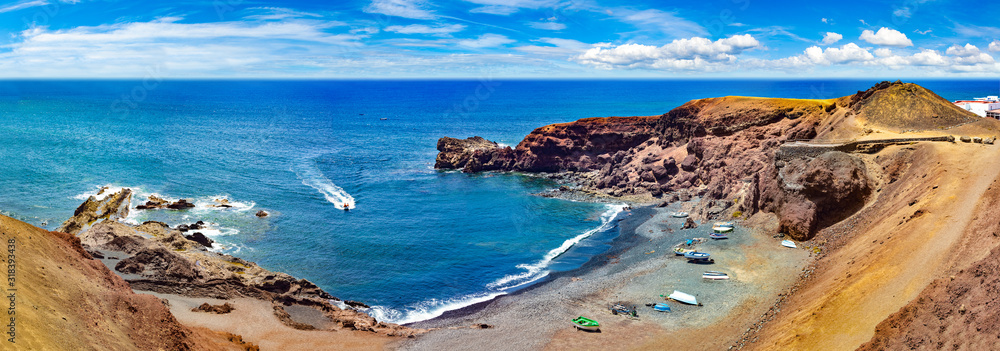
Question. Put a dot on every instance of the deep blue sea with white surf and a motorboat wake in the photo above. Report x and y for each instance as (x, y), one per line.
(417, 241)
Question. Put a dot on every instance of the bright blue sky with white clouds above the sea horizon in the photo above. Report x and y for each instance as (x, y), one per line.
(497, 38)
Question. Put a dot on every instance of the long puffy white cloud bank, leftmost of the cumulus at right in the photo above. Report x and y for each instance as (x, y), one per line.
(682, 54)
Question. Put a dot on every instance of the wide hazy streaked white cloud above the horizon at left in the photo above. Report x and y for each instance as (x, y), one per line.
(184, 49)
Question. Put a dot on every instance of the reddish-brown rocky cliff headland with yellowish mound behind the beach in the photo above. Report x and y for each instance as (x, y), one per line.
(723, 149)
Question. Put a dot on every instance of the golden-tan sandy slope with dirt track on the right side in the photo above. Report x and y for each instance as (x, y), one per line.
(893, 252)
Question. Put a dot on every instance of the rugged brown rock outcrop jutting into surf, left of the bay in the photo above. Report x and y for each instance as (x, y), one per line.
(155, 257)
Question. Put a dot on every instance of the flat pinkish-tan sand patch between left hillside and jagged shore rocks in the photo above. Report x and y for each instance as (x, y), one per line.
(255, 321)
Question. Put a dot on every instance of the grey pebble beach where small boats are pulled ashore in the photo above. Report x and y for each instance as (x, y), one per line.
(640, 267)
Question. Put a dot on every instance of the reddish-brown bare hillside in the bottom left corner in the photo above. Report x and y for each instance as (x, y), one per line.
(64, 300)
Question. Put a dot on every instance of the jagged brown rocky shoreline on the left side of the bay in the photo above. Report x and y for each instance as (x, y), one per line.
(155, 257)
